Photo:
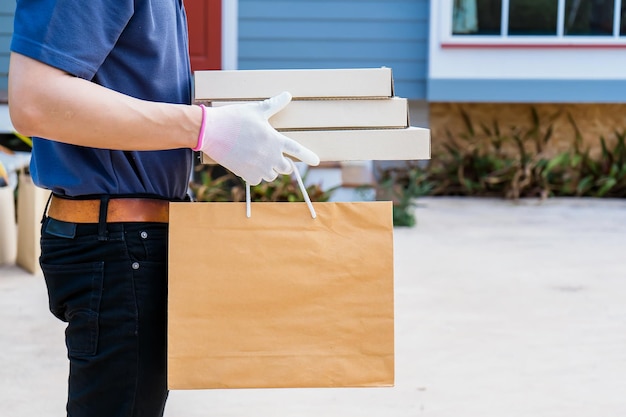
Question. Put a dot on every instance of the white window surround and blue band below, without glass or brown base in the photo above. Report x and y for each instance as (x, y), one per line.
(522, 69)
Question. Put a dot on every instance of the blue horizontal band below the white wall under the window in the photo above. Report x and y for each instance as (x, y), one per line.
(526, 91)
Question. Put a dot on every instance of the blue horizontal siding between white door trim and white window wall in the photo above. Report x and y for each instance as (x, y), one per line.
(338, 34)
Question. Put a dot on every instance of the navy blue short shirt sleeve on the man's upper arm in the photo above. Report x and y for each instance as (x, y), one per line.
(75, 36)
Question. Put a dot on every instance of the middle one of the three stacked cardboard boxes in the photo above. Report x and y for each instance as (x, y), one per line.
(340, 114)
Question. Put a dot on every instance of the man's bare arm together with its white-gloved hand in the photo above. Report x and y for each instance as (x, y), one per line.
(50, 103)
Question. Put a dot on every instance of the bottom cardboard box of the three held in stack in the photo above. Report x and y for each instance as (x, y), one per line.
(412, 143)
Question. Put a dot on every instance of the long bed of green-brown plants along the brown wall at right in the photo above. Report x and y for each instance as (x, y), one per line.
(513, 163)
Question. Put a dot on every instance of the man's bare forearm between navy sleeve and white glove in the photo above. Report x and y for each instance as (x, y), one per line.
(50, 103)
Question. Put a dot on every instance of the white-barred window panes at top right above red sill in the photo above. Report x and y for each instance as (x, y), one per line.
(570, 20)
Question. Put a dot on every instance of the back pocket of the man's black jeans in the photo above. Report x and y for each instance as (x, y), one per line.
(74, 294)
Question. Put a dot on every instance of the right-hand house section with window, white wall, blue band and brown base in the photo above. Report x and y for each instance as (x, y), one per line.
(494, 59)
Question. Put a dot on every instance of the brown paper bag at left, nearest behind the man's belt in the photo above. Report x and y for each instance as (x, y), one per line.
(31, 202)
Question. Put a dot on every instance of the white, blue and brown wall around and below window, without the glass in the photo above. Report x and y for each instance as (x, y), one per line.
(502, 79)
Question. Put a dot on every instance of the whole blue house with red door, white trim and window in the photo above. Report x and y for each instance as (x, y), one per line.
(493, 59)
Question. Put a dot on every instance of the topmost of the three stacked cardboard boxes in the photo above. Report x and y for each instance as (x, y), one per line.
(301, 83)
